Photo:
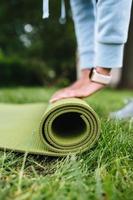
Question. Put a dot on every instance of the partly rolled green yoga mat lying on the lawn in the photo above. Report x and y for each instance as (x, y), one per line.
(64, 127)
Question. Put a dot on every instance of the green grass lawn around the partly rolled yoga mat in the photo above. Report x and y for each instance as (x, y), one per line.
(105, 172)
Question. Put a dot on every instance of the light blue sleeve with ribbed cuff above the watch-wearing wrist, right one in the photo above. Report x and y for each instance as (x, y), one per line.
(112, 25)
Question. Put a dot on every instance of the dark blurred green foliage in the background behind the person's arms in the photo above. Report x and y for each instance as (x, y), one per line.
(36, 52)
